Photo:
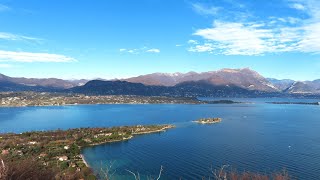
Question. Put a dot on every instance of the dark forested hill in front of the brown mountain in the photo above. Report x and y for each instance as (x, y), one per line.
(185, 89)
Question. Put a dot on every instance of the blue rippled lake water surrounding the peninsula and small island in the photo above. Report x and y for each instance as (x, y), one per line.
(255, 137)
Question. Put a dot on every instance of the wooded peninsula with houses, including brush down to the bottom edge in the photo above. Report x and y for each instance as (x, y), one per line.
(57, 154)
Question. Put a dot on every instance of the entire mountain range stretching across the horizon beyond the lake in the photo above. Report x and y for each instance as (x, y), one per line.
(224, 82)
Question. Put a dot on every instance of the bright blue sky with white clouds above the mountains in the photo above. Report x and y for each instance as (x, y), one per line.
(87, 39)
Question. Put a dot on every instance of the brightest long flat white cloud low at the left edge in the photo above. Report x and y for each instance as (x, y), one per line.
(28, 57)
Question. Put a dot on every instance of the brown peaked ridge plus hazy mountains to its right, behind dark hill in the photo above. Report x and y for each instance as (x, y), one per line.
(244, 78)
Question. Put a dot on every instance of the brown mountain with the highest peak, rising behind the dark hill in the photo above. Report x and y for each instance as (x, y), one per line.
(244, 78)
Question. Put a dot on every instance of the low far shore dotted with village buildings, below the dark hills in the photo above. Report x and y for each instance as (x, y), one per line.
(21, 99)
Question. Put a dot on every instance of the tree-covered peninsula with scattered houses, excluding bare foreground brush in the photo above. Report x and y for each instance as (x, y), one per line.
(68, 145)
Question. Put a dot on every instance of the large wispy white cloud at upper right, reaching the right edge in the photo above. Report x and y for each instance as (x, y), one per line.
(274, 35)
